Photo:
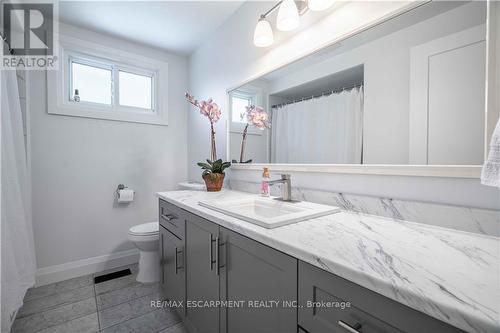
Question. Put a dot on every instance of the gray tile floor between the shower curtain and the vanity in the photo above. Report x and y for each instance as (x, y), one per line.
(80, 306)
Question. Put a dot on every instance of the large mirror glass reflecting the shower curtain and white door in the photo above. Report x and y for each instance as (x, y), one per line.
(408, 91)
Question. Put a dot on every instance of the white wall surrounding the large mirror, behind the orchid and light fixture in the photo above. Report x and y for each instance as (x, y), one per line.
(211, 74)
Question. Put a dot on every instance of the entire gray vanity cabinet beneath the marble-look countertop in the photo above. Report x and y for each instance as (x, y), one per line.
(206, 264)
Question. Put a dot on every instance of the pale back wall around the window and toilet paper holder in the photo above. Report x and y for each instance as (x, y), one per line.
(77, 164)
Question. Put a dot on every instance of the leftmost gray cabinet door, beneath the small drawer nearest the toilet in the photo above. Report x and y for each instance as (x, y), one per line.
(173, 277)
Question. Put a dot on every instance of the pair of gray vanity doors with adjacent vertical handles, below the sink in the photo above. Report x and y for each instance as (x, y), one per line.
(223, 265)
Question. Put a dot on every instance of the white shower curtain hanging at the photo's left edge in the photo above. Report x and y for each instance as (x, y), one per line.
(17, 247)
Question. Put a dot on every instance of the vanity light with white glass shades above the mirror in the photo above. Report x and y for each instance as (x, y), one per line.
(289, 12)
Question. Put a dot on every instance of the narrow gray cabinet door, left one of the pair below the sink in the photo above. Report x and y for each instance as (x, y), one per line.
(202, 281)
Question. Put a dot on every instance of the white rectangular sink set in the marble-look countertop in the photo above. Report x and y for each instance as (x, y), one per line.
(268, 212)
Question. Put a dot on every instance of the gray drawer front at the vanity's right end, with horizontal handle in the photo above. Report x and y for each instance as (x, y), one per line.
(368, 312)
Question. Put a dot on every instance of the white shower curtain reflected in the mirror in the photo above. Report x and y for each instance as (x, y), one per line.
(324, 130)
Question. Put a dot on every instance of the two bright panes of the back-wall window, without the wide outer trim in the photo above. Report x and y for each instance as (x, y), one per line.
(110, 84)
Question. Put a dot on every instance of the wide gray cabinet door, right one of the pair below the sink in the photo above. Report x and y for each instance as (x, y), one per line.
(250, 271)
